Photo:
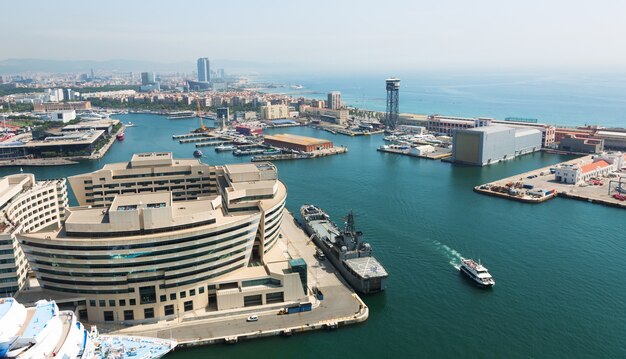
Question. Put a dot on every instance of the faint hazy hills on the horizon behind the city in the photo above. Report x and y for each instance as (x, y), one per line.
(15, 66)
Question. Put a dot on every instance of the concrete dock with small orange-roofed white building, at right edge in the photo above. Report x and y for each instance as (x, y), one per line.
(540, 185)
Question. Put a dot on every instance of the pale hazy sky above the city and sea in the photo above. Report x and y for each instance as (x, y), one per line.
(324, 34)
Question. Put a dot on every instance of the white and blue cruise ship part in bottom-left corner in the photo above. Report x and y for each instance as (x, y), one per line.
(45, 332)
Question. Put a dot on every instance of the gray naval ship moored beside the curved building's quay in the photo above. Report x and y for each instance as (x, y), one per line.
(346, 249)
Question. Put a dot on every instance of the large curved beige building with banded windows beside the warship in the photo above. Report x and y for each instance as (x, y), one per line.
(156, 237)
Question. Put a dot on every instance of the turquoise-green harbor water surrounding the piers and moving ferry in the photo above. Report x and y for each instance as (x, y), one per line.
(559, 267)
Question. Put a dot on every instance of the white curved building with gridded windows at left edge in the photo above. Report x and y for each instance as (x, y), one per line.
(25, 205)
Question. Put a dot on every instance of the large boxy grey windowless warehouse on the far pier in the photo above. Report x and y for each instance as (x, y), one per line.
(491, 144)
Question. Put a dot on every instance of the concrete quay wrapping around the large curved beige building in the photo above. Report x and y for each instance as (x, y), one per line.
(340, 306)
